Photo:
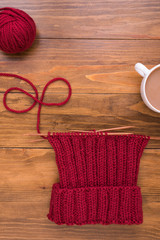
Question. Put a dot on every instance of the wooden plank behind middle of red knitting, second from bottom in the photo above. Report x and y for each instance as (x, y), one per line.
(28, 174)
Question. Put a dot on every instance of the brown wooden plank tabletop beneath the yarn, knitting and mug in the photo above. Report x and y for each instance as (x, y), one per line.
(94, 44)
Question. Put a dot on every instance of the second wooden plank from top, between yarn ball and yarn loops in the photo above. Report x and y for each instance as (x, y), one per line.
(100, 67)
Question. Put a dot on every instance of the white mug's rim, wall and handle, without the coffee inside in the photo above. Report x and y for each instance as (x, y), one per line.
(145, 72)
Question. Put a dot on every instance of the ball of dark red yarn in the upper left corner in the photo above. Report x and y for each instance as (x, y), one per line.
(17, 30)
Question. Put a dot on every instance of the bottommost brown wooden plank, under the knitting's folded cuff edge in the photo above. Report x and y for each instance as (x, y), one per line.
(29, 221)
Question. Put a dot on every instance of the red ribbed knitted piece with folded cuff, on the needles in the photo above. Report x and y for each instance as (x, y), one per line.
(98, 178)
